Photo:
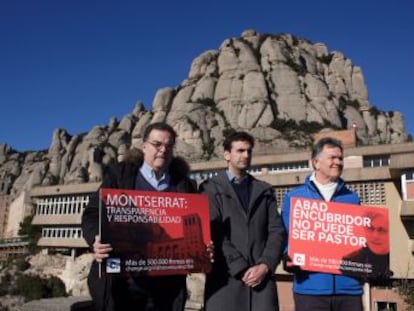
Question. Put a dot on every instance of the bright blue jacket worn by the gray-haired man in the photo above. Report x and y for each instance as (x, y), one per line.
(315, 283)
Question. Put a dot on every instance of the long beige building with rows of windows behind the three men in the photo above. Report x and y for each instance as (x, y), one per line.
(383, 175)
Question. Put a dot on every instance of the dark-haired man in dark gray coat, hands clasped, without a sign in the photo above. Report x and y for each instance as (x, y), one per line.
(247, 232)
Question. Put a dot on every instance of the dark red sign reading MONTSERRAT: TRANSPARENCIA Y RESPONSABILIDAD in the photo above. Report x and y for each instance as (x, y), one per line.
(155, 233)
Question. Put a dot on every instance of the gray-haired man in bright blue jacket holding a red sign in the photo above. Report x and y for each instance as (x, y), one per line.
(324, 291)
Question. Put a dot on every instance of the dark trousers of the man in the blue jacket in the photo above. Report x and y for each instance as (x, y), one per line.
(327, 302)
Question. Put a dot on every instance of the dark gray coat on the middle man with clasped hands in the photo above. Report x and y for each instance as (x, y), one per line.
(241, 240)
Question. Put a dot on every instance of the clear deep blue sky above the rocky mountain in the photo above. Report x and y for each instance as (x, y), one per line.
(74, 64)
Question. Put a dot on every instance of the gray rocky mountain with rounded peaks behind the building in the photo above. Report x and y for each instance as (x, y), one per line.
(280, 88)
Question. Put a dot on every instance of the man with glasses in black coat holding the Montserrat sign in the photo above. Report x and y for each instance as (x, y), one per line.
(154, 168)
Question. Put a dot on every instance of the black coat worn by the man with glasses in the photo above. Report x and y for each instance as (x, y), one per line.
(109, 293)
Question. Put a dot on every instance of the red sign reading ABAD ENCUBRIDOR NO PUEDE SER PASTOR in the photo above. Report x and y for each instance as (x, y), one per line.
(339, 238)
